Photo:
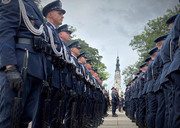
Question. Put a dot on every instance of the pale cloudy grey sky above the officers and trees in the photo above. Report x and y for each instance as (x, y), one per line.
(110, 25)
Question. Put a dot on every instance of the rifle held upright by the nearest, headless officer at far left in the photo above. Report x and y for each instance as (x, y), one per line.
(17, 106)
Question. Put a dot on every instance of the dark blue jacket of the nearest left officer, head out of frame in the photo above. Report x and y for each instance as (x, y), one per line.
(12, 53)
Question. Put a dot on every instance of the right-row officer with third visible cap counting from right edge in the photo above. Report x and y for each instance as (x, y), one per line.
(151, 97)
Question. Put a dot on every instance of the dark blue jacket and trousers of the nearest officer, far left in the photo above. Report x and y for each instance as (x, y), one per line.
(12, 46)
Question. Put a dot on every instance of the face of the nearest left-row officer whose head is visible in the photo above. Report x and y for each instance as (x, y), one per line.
(57, 17)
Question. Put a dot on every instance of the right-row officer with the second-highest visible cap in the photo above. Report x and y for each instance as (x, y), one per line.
(158, 90)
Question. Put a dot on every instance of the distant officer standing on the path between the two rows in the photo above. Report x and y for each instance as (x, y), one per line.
(114, 101)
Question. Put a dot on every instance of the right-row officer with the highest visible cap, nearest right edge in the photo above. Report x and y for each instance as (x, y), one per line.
(166, 57)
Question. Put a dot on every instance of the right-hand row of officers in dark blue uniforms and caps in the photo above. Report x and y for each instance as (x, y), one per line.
(152, 97)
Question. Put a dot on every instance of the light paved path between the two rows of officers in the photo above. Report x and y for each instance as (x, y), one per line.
(117, 122)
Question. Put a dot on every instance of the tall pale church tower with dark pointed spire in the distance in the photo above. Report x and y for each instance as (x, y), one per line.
(117, 77)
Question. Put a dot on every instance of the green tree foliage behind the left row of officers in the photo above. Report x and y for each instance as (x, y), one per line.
(93, 54)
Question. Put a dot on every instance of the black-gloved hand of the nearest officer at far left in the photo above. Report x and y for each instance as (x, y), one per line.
(14, 78)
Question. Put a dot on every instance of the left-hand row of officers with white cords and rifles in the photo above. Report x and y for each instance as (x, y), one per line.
(42, 79)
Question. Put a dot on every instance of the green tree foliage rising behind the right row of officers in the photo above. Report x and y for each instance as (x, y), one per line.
(145, 41)
